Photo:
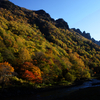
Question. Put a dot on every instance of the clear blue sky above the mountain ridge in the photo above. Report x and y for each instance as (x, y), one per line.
(82, 14)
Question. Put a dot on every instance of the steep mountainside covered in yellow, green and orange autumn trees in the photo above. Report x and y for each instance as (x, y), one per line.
(42, 50)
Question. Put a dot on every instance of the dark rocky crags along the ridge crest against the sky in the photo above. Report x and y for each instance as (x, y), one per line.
(63, 24)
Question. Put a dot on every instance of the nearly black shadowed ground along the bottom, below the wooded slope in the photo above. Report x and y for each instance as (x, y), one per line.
(49, 93)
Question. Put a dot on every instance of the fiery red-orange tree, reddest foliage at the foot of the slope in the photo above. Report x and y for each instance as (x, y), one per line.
(31, 72)
